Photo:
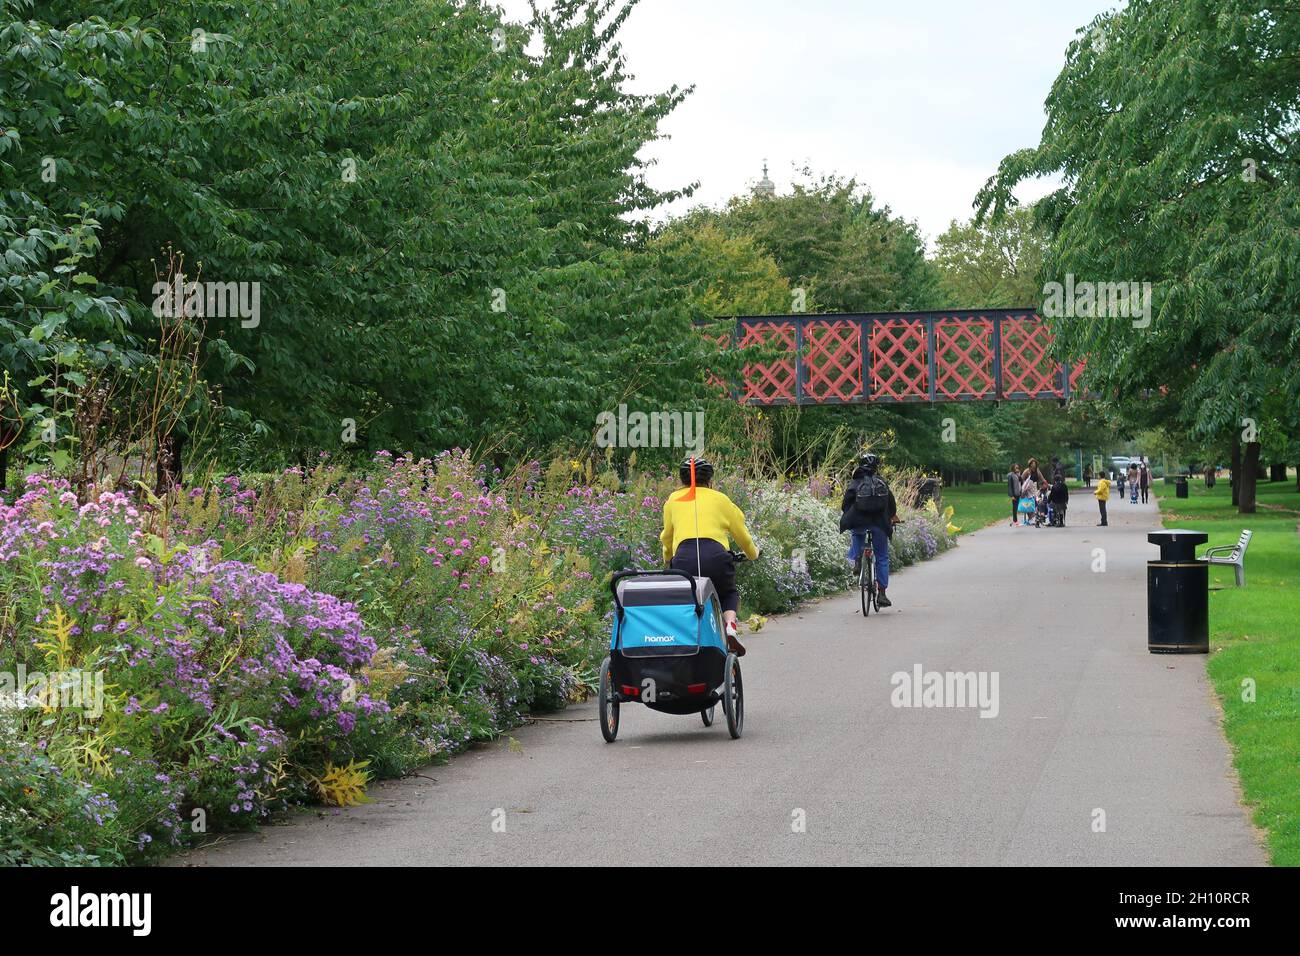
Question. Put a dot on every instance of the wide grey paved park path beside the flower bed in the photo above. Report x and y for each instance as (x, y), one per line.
(1087, 721)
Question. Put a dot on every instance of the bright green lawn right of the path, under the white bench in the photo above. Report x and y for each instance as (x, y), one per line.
(1255, 635)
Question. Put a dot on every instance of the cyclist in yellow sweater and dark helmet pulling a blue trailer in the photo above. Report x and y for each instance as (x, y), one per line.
(710, 521)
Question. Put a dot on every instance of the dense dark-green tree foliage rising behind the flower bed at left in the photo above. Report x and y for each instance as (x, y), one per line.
(437, 207)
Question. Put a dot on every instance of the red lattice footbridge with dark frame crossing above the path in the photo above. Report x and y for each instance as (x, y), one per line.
(964, 356)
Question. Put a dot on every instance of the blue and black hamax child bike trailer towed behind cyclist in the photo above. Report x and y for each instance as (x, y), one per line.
(668, 651)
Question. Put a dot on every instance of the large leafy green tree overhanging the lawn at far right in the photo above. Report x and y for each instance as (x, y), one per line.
(1176, 128)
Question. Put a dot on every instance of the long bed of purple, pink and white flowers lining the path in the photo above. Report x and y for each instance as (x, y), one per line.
(279, 641)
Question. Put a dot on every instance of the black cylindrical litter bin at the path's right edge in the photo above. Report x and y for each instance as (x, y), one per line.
(1178, 611)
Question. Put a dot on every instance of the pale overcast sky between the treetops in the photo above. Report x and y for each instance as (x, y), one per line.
(918, 101)
